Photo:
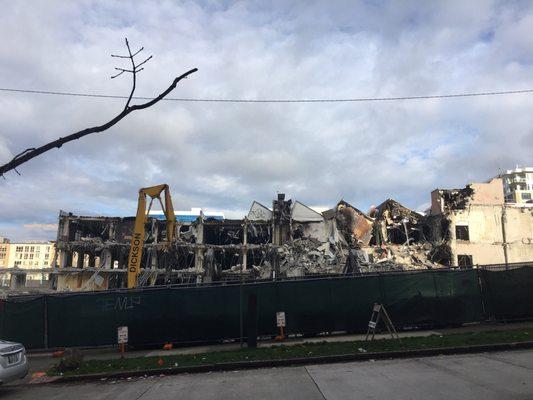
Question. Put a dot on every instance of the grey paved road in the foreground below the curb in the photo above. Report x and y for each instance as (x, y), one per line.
(503, 375)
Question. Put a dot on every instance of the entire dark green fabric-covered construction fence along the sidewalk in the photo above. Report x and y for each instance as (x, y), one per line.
(213, 313)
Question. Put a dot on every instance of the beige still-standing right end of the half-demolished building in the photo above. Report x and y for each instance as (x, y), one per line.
(479, 227)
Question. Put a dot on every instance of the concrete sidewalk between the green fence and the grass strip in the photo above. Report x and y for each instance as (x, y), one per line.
(40, 362)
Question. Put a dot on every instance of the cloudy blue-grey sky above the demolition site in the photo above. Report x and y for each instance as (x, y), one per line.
(223, 156)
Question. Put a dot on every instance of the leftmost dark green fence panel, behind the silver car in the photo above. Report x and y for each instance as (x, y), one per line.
(22, 320)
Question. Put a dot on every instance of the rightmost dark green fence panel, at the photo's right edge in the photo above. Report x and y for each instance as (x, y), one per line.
(508, 294)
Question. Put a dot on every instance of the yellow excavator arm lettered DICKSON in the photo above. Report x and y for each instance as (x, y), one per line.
(137, 239)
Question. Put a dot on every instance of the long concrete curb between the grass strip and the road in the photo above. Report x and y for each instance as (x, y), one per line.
(243, 365)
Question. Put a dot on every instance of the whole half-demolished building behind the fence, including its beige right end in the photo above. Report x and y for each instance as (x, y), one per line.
(464, 227)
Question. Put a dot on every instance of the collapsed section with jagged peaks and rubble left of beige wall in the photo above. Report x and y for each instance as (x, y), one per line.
(391, 238)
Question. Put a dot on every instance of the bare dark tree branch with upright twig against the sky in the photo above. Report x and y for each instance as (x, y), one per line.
(33, 152)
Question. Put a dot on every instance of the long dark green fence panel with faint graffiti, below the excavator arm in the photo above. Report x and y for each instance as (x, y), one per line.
(152, 316)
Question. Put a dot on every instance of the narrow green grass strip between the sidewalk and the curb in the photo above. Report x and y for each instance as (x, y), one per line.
(305, 350)
